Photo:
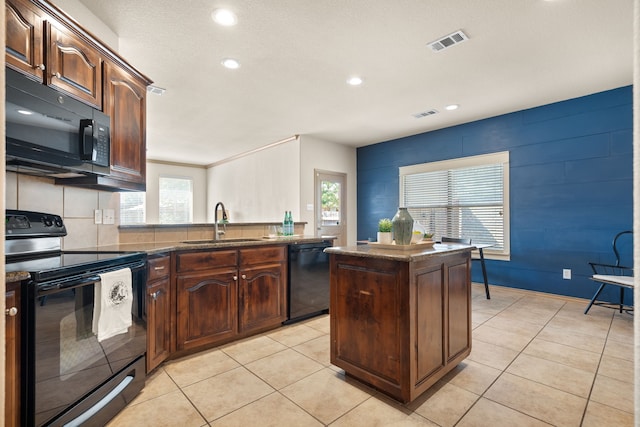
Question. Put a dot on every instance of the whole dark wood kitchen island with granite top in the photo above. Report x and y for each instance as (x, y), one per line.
(400, 319)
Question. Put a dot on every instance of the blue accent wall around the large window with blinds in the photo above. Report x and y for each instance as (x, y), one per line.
(570, 191)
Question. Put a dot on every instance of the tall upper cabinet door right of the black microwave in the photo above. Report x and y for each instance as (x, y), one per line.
(125, 103)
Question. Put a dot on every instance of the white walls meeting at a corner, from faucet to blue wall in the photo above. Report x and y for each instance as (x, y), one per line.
(261, 186)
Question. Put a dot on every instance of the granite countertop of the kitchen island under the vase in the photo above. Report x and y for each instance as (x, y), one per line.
(408, 254)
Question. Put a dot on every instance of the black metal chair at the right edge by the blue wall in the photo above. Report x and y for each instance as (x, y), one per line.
(612, 275)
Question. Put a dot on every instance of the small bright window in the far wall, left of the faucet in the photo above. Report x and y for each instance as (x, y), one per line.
(176, 200)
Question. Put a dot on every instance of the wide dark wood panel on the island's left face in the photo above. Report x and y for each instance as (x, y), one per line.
(367, 313)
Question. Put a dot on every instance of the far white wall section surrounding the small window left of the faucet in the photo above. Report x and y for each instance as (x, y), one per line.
(197, 173)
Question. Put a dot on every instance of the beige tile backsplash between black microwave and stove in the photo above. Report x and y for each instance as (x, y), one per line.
(75, 205)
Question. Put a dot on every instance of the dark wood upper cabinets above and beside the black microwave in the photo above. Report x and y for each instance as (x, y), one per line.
(48, 46)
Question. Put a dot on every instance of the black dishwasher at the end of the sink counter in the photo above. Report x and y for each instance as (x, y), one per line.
(308, 287)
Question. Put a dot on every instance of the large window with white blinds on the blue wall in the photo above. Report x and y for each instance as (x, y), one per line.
(466, 197)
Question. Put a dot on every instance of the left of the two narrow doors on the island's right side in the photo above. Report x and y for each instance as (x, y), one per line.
(430, 321)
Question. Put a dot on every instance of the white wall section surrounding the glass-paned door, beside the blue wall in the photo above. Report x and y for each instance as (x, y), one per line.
(332, 157)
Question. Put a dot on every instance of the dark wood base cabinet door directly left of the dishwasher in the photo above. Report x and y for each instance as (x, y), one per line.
(262, 299)
